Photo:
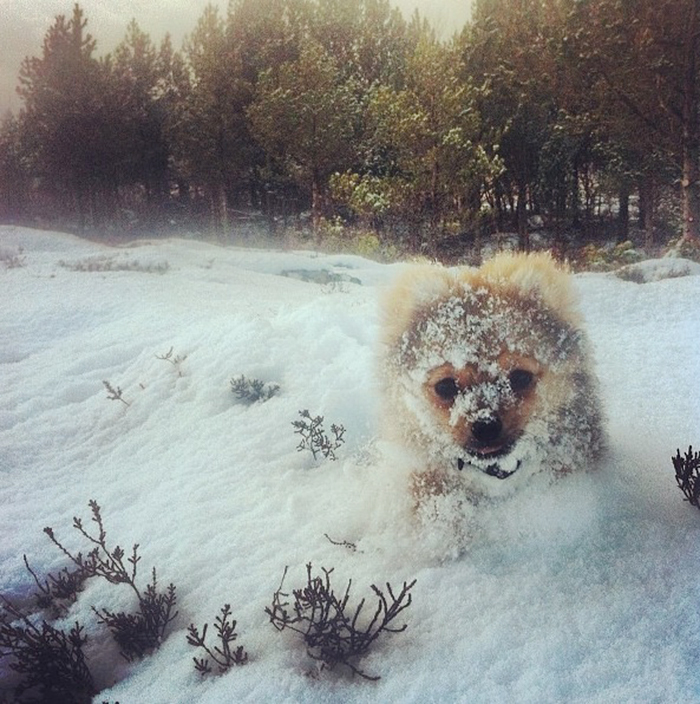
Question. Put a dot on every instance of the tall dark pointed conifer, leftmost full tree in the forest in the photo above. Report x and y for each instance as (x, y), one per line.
(69, 112)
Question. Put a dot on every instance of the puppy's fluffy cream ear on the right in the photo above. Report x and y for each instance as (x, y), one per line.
(536, 276)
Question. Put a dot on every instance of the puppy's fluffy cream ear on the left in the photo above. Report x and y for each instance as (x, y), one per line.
(415, 288)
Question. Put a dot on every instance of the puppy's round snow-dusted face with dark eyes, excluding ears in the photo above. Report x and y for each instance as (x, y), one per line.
(483, 377)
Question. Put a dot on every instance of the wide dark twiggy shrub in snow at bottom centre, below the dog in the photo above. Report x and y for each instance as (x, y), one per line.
(334, 633)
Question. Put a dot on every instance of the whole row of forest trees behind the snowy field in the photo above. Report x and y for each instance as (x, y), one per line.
(574, 114)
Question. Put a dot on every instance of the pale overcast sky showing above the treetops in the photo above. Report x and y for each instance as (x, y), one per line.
(23, 24)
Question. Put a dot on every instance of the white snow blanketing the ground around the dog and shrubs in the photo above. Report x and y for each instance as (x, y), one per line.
(585, 592)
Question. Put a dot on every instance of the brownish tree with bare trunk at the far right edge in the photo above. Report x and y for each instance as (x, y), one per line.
(645, 54)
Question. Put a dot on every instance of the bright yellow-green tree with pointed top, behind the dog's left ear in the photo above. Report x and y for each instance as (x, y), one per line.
(421, 164)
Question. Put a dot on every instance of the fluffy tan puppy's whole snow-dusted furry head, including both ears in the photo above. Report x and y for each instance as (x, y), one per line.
(486, 375)
